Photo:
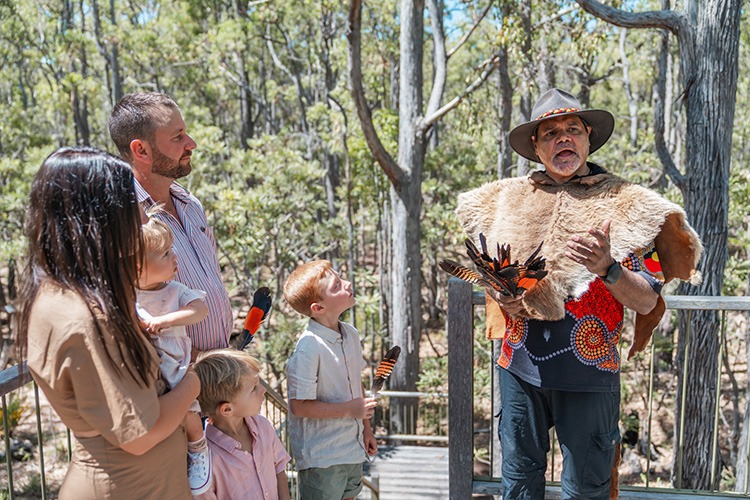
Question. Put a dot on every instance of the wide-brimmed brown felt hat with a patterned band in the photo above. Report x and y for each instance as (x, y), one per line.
(556, 102)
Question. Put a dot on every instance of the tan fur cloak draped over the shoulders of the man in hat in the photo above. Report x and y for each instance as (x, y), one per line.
(526, 211)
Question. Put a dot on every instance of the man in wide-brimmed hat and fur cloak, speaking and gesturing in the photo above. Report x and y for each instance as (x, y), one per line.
(608, 244)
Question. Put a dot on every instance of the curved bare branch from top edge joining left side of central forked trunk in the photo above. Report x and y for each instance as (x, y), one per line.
(395, 173)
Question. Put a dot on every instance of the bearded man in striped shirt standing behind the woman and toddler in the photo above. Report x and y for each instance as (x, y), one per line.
(149, 132)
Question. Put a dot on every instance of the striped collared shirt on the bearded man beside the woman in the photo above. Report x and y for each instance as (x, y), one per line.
(197, 264)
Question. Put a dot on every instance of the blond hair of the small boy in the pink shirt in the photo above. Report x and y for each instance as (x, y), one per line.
(222, 373)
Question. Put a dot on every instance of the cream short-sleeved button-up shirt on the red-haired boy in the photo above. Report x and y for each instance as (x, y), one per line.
(326, 366)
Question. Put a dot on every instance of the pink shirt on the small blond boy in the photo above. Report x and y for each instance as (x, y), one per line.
(239, 474)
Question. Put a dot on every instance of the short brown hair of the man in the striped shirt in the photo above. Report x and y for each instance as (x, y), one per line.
(135, 117)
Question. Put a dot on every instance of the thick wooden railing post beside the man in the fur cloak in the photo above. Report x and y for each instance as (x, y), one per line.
(460, 389)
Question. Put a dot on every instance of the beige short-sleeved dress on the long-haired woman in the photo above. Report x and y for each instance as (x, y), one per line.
(103, 407)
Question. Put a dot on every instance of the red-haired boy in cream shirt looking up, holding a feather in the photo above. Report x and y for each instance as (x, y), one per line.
(329, 421)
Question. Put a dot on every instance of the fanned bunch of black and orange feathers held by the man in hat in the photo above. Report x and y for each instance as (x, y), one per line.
(501, 274)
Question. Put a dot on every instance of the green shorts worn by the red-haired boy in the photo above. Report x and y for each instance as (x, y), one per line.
(330, 483)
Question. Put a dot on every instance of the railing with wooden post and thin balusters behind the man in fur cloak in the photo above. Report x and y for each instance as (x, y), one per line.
(461, 366)
